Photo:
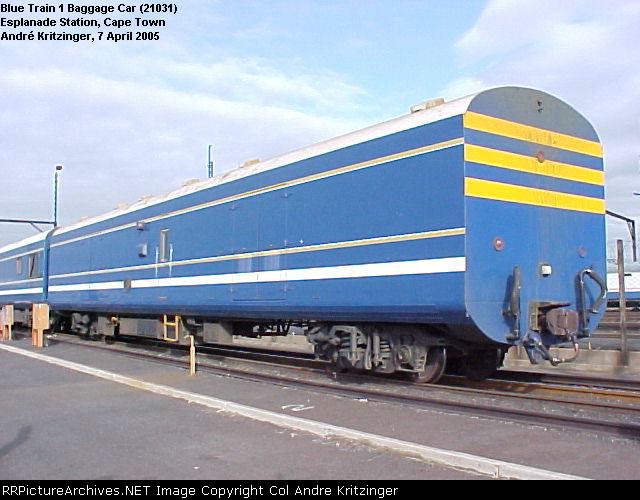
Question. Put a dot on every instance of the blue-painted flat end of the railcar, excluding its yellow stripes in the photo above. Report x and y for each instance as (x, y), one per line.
(568, 240)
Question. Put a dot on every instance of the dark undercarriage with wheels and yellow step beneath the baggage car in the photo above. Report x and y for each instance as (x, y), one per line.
(421, 353)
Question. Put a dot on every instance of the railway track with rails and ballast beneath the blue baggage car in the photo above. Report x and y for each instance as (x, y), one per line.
(598, 405)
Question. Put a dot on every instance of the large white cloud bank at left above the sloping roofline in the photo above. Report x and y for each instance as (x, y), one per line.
(128, 122)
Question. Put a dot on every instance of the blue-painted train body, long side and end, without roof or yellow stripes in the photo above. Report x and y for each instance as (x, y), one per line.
(270, 240)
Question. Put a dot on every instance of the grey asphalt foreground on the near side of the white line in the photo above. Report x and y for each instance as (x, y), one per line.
(60, 424)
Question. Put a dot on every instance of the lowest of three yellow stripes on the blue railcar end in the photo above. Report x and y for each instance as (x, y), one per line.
(479, 188)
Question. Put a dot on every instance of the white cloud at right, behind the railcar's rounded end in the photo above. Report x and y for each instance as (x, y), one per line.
(586, 52)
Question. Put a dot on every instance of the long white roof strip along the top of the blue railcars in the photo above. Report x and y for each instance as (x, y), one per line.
(405, 122)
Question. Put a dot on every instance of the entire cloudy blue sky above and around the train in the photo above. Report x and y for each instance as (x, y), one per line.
(261, 77)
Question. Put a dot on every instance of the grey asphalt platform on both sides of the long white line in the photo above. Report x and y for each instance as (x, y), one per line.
(74, 426)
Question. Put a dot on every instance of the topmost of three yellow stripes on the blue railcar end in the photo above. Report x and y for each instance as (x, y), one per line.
(514, 130)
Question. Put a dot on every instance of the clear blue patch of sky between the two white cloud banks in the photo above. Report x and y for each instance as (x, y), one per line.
(394, 51)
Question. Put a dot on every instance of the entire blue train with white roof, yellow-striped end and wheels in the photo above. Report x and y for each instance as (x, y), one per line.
(456, 231)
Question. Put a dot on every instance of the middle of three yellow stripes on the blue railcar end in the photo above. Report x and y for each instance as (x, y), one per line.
(531, 165)
